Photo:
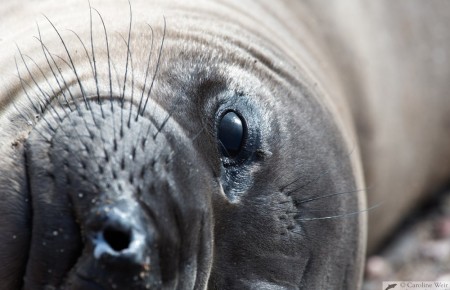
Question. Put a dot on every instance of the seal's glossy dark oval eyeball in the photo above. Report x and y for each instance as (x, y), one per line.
(231, 134)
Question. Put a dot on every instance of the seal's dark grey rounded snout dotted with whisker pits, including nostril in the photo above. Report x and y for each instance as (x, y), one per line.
(140, 222)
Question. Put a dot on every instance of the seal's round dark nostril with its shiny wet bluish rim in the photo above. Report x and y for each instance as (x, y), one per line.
(121, 236)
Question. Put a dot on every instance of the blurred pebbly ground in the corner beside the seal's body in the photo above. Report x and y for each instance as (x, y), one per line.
(419, 251)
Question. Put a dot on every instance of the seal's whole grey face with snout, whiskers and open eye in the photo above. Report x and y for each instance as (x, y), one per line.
(203, 165)
